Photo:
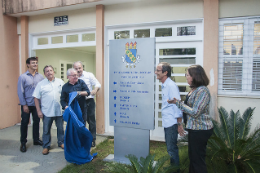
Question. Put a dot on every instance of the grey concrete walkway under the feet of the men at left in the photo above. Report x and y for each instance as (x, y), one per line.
(32, 161)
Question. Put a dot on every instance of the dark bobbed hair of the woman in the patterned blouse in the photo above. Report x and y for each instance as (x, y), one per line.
(199, 77)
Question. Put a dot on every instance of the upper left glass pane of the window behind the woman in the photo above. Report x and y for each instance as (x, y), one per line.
(233, 39)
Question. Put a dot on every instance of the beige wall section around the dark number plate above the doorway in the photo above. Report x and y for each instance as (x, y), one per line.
(82, 18)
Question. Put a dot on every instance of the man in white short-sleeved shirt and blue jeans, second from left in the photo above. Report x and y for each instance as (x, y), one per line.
(48, 91)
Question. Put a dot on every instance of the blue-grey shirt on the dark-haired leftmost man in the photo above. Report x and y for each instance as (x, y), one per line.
(25, 87)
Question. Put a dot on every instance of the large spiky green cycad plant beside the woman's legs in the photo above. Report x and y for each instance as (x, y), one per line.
(231, 148)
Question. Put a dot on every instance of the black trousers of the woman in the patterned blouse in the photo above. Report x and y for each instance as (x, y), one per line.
(197, 144)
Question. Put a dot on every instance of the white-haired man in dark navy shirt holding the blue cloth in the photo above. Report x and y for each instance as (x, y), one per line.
(74, 84)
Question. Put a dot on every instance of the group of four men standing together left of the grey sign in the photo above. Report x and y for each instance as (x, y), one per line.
(45, 98)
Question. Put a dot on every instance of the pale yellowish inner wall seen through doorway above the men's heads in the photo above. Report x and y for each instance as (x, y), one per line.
(54, 56)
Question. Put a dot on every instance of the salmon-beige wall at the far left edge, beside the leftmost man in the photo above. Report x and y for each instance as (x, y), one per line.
(9, 65)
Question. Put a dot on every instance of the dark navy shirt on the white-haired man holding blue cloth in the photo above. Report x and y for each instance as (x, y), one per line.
(67, 88)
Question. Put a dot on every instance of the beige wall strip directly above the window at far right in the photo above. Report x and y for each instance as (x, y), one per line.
(238, 8)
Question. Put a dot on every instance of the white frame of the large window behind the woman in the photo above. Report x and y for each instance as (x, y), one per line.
(247, 57)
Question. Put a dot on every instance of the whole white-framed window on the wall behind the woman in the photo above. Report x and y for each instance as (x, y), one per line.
(239, 56)
